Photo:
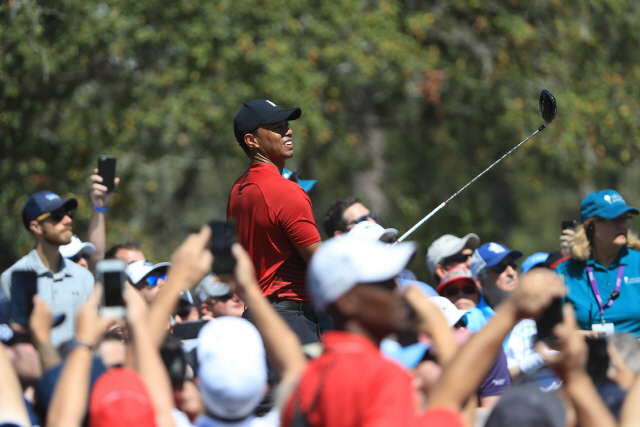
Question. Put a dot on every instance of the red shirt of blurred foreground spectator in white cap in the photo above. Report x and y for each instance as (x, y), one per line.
(352, 385)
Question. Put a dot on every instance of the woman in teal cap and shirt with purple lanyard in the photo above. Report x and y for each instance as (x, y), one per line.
(603, 274)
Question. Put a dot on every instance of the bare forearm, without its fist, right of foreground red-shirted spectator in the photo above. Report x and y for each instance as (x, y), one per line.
(464, 373)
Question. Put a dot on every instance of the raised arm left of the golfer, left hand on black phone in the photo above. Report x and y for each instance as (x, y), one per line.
(189, 264)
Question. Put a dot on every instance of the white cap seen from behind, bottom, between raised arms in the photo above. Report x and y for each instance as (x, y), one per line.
(232, 367)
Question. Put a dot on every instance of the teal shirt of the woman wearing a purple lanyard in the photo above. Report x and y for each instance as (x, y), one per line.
(625, 311)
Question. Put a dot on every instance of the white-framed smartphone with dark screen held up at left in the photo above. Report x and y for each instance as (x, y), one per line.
(110, 272)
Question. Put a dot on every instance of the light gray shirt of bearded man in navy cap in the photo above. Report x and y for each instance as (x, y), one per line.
(64, 292)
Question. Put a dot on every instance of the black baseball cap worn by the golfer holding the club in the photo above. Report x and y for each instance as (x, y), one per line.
(259, 112)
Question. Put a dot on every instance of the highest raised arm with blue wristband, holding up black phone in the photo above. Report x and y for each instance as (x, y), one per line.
(96, 233)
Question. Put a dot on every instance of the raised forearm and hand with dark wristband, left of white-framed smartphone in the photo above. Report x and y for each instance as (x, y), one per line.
(71, 394)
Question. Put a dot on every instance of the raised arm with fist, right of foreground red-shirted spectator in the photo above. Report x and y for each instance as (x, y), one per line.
(464, 374)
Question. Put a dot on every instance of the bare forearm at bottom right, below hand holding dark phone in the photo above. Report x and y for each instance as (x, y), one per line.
(590, 409)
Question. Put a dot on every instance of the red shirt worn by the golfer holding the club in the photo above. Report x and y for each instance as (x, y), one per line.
(274, 217)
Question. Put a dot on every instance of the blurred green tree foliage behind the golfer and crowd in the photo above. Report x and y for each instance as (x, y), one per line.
(451, 86)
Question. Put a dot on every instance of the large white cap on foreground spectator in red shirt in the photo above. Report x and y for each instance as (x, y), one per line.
(340, 264)
